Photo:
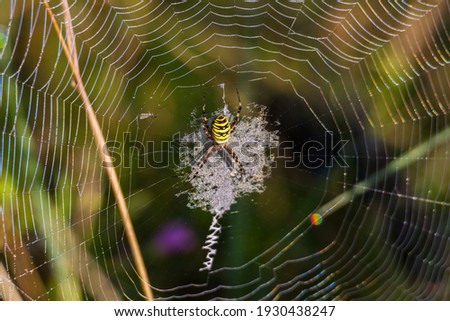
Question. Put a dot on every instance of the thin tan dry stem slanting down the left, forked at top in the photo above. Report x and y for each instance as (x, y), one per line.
(72, 57)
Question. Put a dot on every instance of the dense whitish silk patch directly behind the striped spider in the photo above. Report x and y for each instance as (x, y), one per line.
(220, 183)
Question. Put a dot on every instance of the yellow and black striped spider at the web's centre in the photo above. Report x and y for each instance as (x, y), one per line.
(219, 132)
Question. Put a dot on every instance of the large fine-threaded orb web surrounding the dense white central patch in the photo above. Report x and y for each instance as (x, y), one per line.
(372, 74)
